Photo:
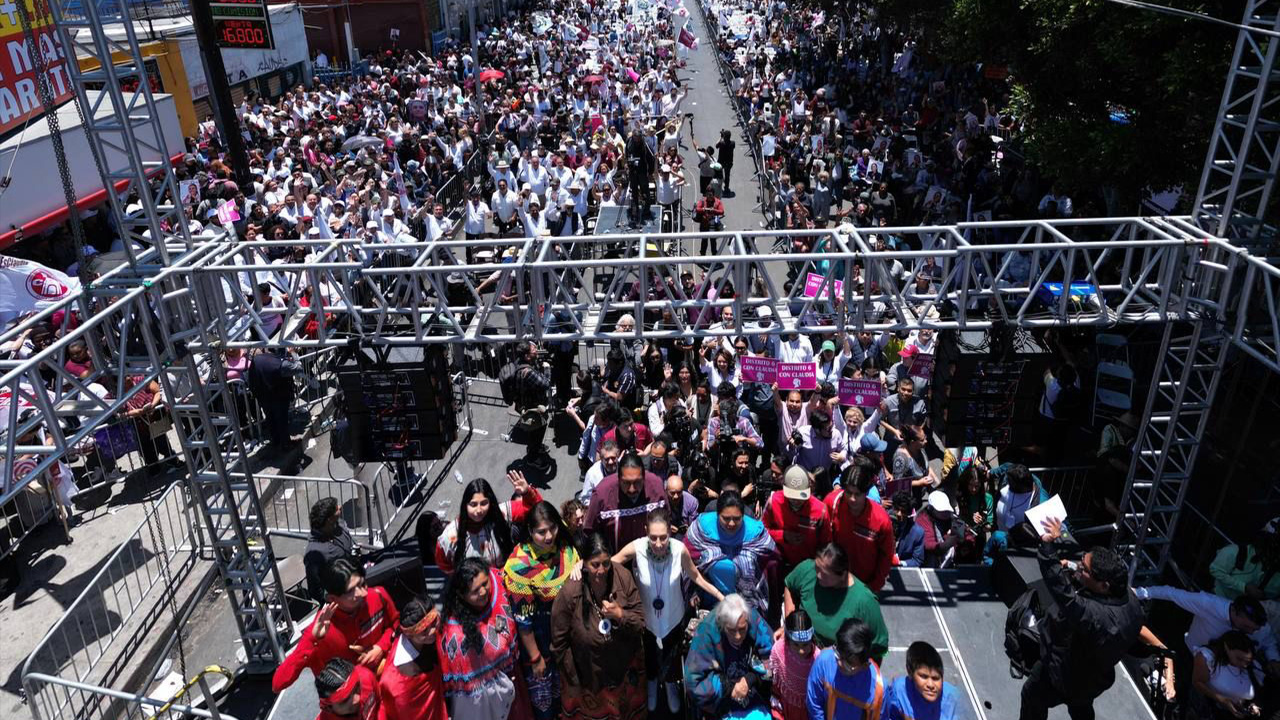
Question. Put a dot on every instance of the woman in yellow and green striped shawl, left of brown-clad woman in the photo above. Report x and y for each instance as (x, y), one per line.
(534, 576)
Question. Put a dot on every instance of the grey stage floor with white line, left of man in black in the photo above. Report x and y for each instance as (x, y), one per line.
(959, 613)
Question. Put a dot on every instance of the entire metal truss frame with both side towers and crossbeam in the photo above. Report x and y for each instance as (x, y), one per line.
(170, 313)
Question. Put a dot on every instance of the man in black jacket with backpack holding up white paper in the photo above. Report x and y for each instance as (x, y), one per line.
(1095, 621)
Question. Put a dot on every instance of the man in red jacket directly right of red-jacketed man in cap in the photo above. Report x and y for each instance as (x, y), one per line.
(861, 526)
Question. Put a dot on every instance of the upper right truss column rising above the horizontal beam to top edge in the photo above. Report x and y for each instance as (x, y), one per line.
(1236, 194)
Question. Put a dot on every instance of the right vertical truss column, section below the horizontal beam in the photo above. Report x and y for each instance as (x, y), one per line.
(1177, 413)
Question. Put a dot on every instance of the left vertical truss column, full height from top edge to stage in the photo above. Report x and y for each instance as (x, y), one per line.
(126, 136)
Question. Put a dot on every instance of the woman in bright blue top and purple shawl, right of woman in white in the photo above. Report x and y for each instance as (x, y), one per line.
(734, 550)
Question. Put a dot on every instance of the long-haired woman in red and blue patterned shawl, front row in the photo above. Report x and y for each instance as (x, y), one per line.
(478, 648)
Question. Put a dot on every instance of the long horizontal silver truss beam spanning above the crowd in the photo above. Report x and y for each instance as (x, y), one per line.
(565, 289)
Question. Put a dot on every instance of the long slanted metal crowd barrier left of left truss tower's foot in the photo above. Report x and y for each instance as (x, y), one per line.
(94, 644)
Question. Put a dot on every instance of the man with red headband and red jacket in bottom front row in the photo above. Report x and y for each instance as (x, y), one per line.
(412, 686)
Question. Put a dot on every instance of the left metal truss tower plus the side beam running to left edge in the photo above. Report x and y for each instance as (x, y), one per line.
(140, 323)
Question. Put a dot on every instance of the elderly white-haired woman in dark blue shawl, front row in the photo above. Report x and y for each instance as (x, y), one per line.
(726, 668)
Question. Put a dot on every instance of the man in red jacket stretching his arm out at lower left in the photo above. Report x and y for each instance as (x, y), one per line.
(356, 625)
